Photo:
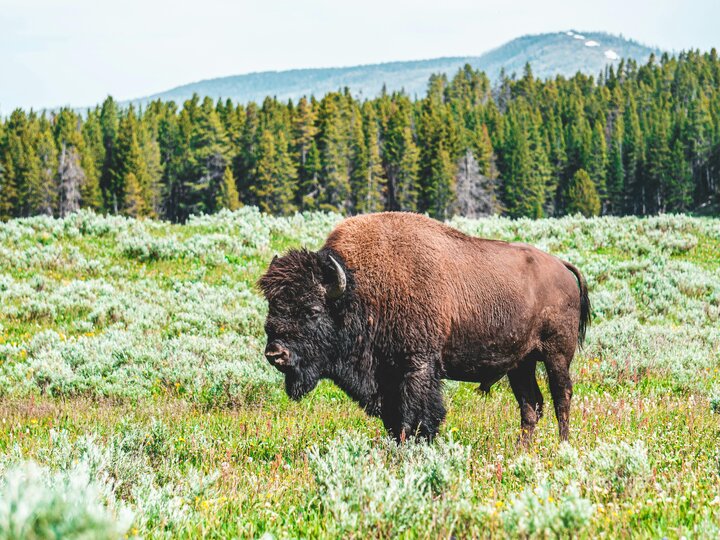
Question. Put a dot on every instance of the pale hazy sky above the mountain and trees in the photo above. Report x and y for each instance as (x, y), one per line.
(75, 52)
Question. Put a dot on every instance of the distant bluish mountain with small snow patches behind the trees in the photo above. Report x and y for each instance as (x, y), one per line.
(559, 53)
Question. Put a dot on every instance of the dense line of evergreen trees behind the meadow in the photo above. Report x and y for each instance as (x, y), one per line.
(638, 139)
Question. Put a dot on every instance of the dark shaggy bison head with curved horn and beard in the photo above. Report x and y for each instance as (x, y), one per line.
(304, 291)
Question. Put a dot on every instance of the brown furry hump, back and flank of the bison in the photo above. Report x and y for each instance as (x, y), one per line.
(427, 286)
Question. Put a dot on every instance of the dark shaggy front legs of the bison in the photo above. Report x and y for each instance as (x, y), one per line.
(417, 408)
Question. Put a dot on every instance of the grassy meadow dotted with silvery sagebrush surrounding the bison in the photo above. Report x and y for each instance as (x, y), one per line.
(135, 400)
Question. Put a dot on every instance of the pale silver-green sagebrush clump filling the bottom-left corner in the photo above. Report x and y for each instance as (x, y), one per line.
(128, 480)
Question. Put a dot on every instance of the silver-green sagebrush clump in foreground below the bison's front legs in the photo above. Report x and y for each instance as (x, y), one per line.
(365, 486)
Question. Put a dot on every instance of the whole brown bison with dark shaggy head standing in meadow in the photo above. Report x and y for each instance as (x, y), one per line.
(395, 302)
